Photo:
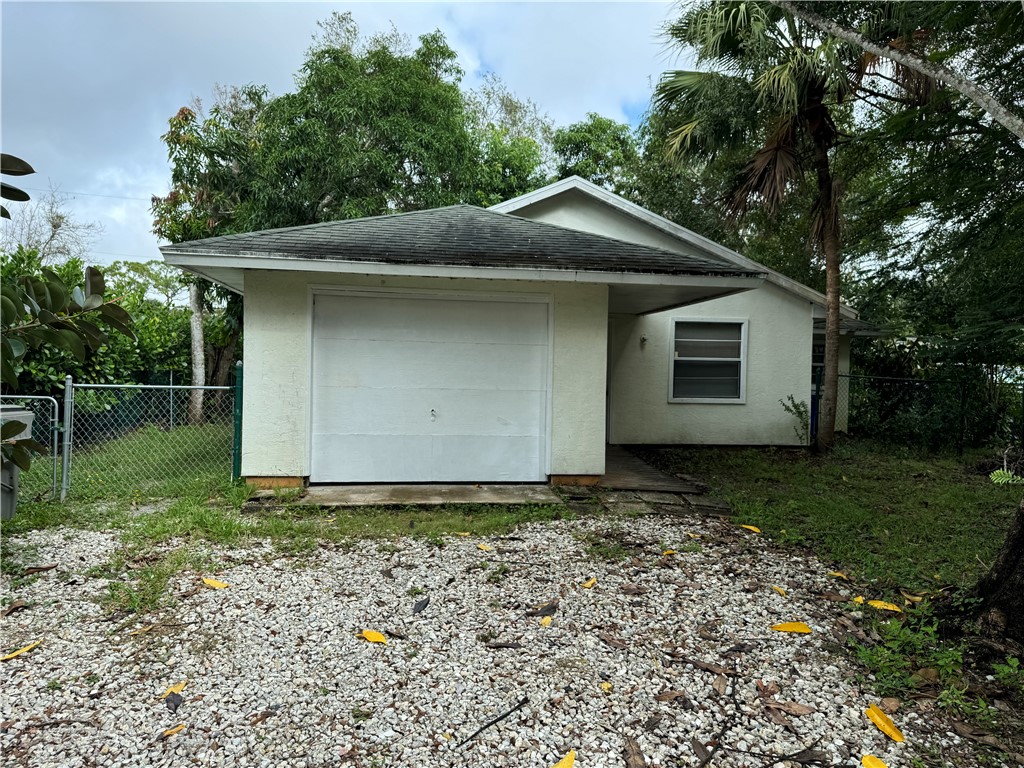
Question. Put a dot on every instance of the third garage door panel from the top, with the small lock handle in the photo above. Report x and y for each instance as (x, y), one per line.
(399, 412)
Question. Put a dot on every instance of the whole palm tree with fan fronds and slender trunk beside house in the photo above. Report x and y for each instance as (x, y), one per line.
(769, 81)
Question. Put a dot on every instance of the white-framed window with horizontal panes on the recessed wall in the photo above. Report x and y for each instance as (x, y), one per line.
(708, 361)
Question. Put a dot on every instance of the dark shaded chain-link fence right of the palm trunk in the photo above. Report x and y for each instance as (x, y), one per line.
(930, 413)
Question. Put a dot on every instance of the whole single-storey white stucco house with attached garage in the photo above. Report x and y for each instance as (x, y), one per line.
(503, 346)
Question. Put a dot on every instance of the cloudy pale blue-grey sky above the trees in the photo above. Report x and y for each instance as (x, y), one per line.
(89, 88)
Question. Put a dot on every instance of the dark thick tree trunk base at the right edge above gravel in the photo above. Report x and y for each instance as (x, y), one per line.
(1002, 590)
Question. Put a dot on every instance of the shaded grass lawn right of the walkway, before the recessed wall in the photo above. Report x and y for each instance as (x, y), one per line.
(883, 515)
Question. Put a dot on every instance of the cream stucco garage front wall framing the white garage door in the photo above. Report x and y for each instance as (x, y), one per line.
(276, 397)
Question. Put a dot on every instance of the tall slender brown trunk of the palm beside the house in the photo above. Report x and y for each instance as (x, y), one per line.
(829, 211)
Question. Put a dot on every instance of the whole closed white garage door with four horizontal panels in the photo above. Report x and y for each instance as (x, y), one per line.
(410, 389)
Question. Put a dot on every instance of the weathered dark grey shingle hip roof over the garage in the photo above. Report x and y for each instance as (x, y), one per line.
(462, 236)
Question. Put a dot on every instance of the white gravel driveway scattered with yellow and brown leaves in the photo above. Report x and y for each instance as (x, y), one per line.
(277, 674)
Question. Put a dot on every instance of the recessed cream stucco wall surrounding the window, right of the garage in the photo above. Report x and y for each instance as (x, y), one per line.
(779, 364)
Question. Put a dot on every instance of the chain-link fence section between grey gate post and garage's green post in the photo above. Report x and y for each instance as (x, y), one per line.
(135, 441)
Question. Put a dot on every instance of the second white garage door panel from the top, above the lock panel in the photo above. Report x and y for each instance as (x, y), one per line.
(411, 365)
